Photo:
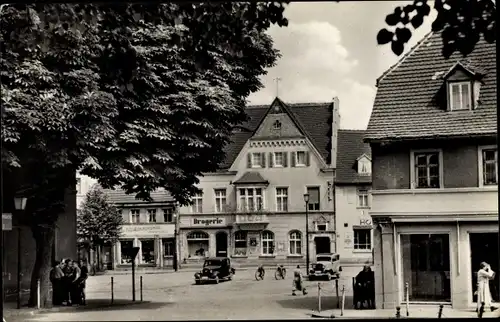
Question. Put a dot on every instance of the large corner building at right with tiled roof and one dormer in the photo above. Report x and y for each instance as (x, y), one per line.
(433, 134)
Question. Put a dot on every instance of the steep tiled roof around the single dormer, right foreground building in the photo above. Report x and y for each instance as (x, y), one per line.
(409, 100)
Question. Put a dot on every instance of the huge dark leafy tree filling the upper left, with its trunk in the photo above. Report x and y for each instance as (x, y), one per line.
(138, 96)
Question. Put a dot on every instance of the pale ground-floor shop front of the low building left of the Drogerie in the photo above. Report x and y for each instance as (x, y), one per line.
(155, 241)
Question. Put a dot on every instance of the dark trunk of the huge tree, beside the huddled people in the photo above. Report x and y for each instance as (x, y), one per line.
(44, 239)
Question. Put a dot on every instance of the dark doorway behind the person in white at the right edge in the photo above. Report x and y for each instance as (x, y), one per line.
(484, 248)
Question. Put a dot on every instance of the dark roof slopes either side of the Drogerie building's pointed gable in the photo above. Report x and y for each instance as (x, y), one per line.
(315, 120)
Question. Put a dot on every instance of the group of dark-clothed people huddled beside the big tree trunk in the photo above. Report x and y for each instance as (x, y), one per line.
(68, 282)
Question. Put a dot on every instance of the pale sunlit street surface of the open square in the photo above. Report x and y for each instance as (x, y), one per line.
(174, 296)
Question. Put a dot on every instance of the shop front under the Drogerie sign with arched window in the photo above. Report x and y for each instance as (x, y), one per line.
(204, 236)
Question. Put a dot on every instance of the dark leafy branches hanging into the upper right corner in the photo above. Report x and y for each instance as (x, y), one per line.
(462, 23)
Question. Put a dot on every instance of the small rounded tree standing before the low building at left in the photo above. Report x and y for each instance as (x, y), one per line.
(98, 222)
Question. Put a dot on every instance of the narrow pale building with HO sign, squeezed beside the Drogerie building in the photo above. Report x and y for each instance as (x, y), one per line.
(353, 198)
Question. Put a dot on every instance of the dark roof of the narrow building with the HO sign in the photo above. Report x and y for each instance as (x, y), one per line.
(350, 147)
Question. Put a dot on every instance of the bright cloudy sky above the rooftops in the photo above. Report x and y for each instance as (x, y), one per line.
(330, 49)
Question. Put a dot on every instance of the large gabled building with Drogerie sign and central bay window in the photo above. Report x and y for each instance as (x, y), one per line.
(253, 208)
